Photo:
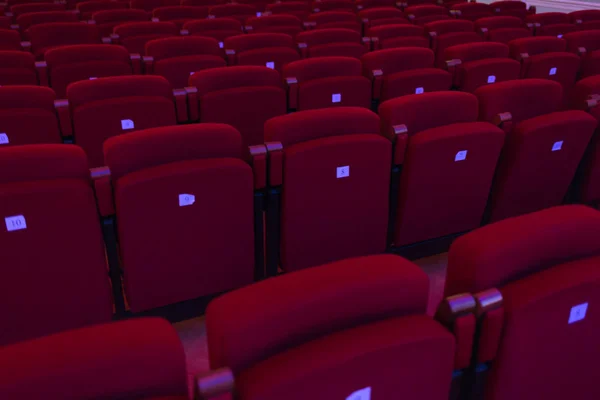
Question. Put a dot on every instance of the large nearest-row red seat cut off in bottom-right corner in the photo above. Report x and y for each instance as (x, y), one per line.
(531, 273)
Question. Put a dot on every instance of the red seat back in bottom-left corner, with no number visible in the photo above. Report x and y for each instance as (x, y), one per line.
(140, 358)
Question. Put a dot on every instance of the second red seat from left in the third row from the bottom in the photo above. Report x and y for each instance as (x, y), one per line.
(112, 106)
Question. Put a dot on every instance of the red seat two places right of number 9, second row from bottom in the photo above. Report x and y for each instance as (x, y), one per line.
(439, 144)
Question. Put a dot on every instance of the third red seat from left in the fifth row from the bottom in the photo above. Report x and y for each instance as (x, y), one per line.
(134, 35)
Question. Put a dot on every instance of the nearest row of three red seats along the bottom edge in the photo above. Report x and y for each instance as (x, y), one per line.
(520, 303)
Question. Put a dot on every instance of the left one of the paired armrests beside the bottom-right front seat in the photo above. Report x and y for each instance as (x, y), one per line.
(457, 314)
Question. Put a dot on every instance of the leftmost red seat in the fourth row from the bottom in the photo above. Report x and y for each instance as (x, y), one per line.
(17, 68)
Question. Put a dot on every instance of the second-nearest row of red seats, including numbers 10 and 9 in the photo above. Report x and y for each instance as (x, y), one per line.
(188, 201)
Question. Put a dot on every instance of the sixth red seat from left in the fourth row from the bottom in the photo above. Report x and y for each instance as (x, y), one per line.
(397, 35)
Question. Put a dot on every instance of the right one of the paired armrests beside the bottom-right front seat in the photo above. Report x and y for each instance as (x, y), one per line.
(490, 318)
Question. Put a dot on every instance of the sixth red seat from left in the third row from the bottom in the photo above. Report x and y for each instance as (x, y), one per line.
(478, 64)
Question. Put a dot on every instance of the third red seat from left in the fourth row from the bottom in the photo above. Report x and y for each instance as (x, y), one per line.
(176, 58)
